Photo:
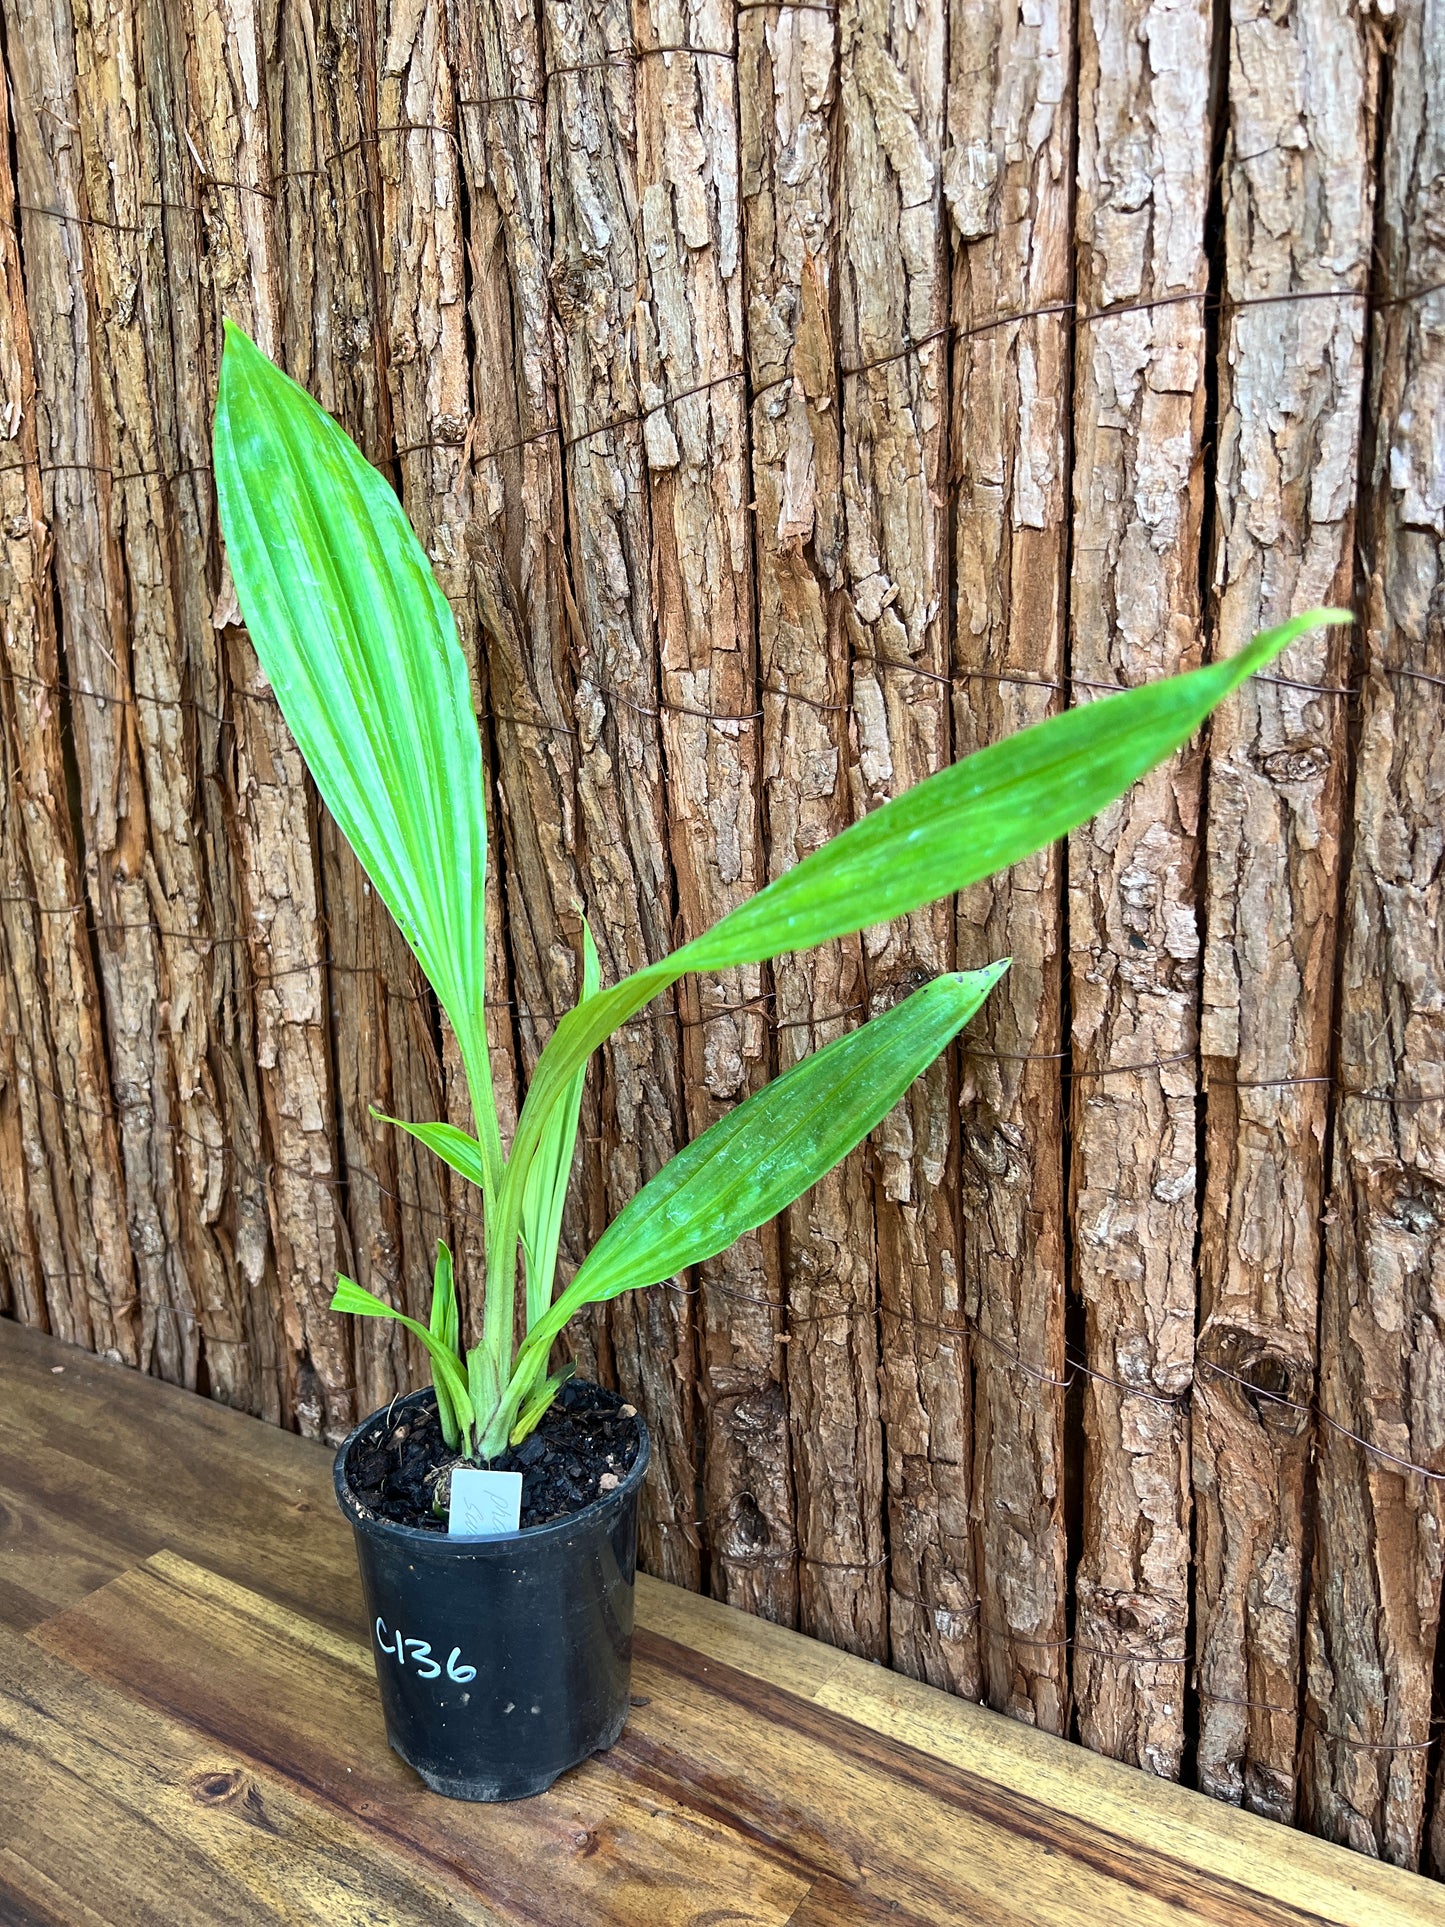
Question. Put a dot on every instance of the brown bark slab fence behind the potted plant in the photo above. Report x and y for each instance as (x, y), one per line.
(791, 396)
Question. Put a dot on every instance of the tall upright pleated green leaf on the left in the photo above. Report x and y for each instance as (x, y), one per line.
(363, 656)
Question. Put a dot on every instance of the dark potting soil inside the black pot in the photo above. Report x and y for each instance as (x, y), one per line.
(585, 1448)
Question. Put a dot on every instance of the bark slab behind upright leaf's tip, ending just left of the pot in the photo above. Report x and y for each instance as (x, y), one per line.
(275, 810)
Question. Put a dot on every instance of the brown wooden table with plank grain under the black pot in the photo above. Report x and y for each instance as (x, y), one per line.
(190, 1733)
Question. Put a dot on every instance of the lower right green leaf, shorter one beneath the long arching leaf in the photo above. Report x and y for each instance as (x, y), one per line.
(762, 1157)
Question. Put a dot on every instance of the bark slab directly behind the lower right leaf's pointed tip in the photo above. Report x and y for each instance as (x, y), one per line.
(1009, 184)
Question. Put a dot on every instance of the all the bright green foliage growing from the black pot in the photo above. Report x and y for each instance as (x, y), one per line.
(363, 656)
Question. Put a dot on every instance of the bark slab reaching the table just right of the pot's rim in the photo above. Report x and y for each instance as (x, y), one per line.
(598, 284)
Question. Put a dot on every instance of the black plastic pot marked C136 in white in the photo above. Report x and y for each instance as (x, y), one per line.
(502, 1662)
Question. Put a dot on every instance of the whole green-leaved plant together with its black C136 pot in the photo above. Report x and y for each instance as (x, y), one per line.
(504, 1660)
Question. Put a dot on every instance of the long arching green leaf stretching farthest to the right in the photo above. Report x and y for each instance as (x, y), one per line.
(947, 833)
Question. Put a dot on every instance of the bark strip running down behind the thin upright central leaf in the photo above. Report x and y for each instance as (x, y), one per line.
(519, 558)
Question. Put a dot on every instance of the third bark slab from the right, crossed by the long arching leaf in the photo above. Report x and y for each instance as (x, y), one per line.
(1134, 922)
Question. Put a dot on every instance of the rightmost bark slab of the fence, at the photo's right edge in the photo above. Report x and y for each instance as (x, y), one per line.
(1375, 1598)
